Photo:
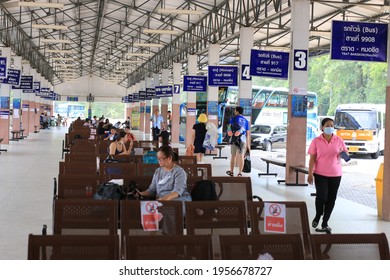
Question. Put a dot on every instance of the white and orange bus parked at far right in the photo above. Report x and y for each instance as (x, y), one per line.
(362, 127)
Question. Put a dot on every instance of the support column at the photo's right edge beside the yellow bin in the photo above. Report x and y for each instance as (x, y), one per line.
(386, 158)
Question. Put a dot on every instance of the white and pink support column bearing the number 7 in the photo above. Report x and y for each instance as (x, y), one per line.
(176, 103)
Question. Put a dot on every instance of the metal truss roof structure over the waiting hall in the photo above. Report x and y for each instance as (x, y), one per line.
(125, 41)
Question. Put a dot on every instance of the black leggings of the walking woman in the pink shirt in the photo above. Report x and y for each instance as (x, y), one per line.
(326, 189)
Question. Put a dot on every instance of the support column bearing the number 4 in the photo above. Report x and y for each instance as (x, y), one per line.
(245, 84)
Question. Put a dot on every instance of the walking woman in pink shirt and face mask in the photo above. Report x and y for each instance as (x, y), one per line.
(325, 171)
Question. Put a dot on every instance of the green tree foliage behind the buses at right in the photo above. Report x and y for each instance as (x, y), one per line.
(338, 82)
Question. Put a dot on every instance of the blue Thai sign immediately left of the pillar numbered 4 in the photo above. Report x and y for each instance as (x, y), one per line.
(223, 75)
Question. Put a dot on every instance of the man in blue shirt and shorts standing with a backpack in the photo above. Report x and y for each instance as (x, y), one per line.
(239, 130)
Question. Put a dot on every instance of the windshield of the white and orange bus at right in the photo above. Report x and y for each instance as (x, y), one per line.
(351, 120)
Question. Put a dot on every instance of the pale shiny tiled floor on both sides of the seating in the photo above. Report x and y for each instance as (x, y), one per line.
(26, 190)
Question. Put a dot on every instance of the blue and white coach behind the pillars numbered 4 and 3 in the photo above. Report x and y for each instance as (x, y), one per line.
(269, 106)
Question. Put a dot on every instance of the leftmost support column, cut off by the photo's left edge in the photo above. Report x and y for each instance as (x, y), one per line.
(4, 101)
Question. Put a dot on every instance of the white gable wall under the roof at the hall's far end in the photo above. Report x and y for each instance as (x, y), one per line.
(102, 90)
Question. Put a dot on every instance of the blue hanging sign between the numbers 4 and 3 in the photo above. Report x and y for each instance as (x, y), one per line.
(269, 64)
